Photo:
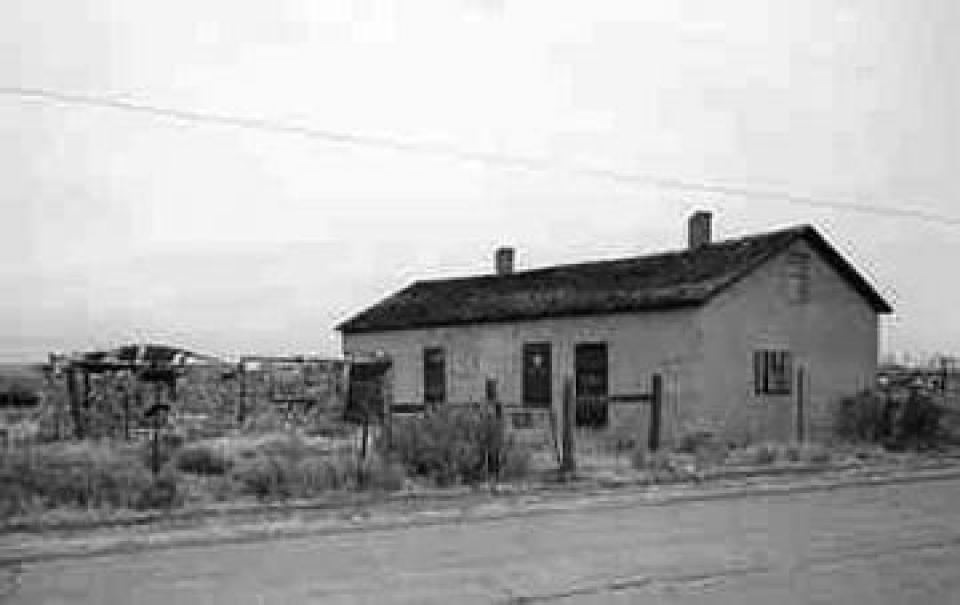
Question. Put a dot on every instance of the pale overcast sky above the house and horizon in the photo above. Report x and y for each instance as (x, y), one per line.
(120, 226)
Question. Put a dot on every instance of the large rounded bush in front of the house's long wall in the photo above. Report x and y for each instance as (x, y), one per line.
(455, 445)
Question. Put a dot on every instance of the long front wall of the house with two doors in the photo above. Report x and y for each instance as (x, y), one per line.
(638, 345)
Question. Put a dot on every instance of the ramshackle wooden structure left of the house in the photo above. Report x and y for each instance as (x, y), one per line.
(107, 393)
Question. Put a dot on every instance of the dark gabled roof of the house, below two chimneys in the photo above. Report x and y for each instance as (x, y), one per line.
(660, 281)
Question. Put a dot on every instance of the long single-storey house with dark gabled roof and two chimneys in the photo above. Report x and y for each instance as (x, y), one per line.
(755, 338)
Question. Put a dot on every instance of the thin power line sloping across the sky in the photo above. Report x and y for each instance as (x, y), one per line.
(482, 157)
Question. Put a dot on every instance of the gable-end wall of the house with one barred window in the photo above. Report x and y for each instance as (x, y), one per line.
(833, 337)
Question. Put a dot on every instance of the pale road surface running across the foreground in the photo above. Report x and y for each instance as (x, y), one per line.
(888, 543)
